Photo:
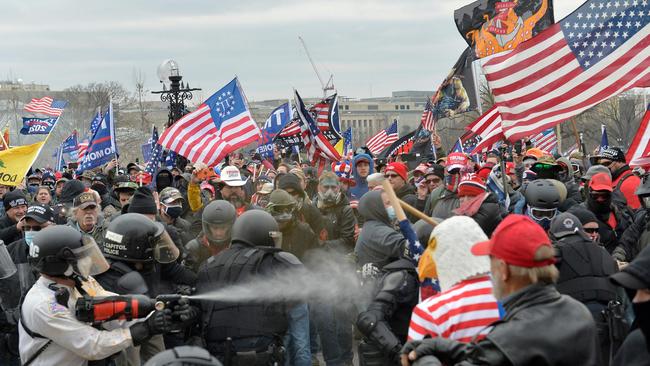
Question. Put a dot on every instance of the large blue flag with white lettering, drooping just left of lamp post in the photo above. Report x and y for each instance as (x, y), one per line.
(102, 147)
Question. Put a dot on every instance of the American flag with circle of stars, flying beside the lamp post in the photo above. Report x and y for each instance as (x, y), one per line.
(219, 126)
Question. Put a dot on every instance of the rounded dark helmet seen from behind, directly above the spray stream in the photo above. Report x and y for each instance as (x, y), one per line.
(256, 228)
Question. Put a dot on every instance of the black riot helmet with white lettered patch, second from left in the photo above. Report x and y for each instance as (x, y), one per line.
(133, 237)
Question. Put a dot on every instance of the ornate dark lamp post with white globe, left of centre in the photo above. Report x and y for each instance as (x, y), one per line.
(176, 96)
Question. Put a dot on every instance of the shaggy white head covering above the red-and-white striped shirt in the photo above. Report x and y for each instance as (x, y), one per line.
(455, 237)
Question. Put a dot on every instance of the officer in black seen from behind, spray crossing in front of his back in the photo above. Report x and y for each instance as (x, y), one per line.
(245, 332)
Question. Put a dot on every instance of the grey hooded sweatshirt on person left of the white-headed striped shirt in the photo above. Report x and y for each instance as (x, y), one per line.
(379, 242)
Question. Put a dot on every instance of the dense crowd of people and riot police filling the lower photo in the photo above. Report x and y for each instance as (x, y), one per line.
(535, 259)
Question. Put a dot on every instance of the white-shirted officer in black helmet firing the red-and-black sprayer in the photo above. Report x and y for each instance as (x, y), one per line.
(49, 332)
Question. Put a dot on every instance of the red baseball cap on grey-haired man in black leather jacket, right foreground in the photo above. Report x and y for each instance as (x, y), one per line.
(515, 241)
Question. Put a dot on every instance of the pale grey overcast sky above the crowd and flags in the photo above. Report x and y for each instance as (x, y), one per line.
(372, 47)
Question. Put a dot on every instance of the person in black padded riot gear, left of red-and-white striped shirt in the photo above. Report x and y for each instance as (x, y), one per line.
(384, 323)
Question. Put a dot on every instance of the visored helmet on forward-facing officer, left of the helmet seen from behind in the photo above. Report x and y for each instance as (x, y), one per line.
(217, 219)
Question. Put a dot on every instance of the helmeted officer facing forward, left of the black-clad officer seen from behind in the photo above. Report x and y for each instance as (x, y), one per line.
(217, 220)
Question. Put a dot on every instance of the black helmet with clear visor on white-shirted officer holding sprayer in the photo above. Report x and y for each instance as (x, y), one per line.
(62, 251)
